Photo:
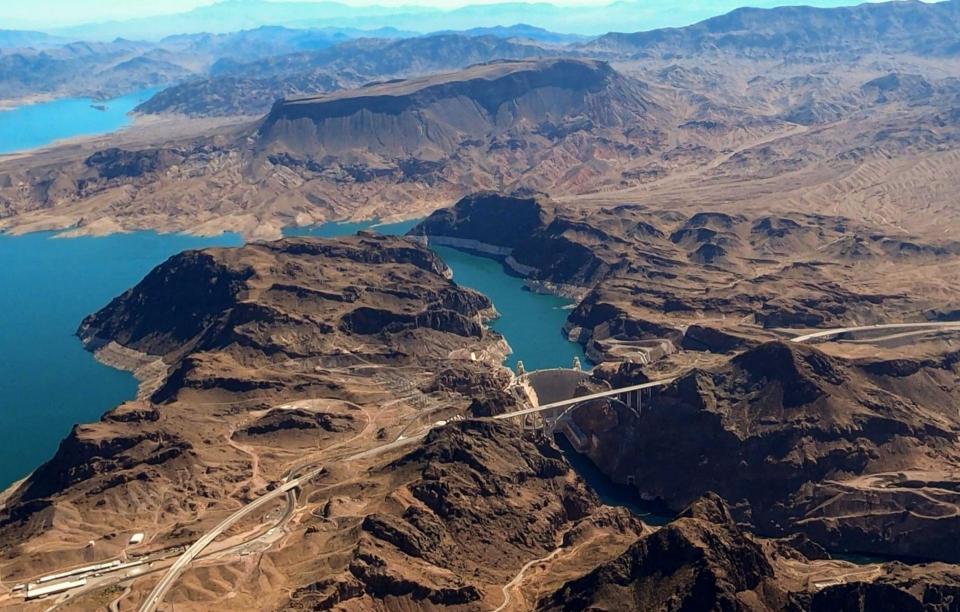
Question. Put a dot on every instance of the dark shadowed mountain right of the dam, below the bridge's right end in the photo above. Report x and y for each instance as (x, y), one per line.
(800, 441)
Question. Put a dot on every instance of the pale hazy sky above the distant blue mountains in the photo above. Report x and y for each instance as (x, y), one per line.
(52, 13)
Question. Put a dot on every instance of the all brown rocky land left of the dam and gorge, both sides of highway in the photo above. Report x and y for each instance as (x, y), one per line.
(356, 354)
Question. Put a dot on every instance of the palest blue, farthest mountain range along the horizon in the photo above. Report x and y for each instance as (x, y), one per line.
(233, 15)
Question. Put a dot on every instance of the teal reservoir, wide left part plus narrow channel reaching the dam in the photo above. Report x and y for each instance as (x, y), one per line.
(49, 382)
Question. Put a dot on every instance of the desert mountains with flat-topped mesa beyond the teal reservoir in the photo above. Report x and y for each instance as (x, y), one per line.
(818, 126)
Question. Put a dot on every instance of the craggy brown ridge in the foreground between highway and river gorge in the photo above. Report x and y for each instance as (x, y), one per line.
(475, 499)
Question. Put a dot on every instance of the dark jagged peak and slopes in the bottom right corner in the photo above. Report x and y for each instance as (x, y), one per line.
(704, 561)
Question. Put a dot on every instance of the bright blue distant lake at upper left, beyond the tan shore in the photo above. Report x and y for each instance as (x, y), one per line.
(37, 125)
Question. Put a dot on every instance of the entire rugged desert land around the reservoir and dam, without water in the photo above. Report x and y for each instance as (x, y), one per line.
(320, 422)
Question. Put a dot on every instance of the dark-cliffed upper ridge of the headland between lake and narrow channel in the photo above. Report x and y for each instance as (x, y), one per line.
(247, 295)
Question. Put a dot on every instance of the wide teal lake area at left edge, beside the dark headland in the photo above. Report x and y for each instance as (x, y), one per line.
(47, 381)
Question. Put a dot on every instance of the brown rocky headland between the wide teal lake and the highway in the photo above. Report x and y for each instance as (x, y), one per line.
(271, 348)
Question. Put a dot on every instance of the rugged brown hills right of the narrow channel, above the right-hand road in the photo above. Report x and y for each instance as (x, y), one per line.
(650, 281)
